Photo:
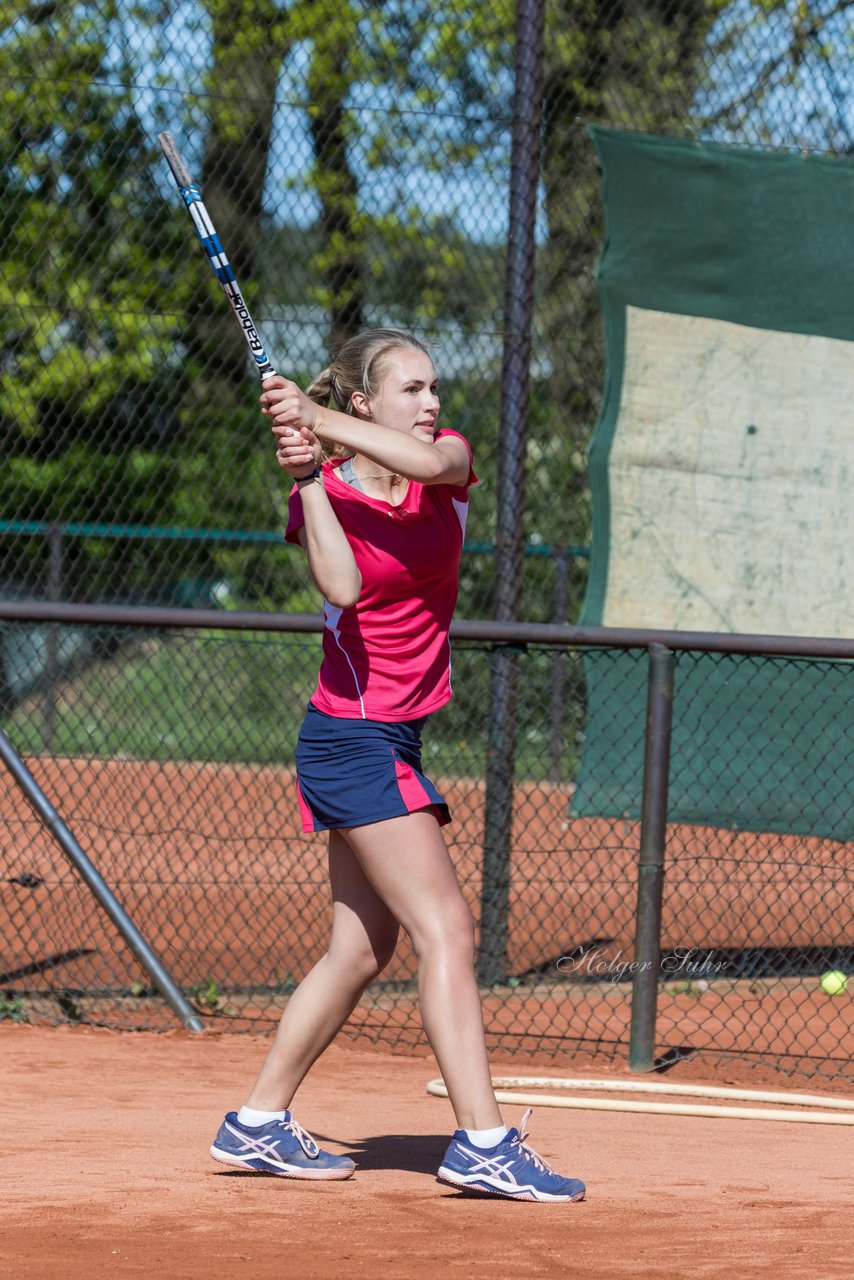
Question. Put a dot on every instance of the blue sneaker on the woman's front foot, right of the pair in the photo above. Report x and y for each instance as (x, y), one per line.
(512, 1169)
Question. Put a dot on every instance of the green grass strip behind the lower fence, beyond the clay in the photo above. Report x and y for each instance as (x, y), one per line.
(230, 698)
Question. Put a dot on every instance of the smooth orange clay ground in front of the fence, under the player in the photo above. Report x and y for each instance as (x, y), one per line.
(107, 1174)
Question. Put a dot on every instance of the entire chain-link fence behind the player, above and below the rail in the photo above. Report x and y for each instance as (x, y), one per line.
(358, 163)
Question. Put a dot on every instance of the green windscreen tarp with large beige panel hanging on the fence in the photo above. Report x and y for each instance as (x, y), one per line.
(723, 476)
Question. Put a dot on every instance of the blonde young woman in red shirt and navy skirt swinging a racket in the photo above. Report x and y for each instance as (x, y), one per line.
(382, 524)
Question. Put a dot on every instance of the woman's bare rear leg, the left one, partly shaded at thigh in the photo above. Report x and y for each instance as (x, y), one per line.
(364, 936)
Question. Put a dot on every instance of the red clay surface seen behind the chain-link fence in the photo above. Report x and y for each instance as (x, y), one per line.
(213, 868)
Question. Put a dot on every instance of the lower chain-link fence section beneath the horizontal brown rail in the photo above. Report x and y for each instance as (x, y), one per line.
(170, 756)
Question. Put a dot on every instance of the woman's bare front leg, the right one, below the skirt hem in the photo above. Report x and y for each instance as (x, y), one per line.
(409, 865)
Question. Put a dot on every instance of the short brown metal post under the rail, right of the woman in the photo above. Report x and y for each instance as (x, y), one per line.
(651, 862)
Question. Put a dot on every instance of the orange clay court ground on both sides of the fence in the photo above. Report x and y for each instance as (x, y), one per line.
(109, 1173)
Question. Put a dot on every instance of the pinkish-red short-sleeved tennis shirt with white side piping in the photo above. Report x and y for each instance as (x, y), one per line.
(389, 656)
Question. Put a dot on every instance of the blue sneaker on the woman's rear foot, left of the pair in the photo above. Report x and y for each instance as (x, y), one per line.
(281, 1148)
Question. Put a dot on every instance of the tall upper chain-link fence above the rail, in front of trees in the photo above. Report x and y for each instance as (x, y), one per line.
(358, 162)
